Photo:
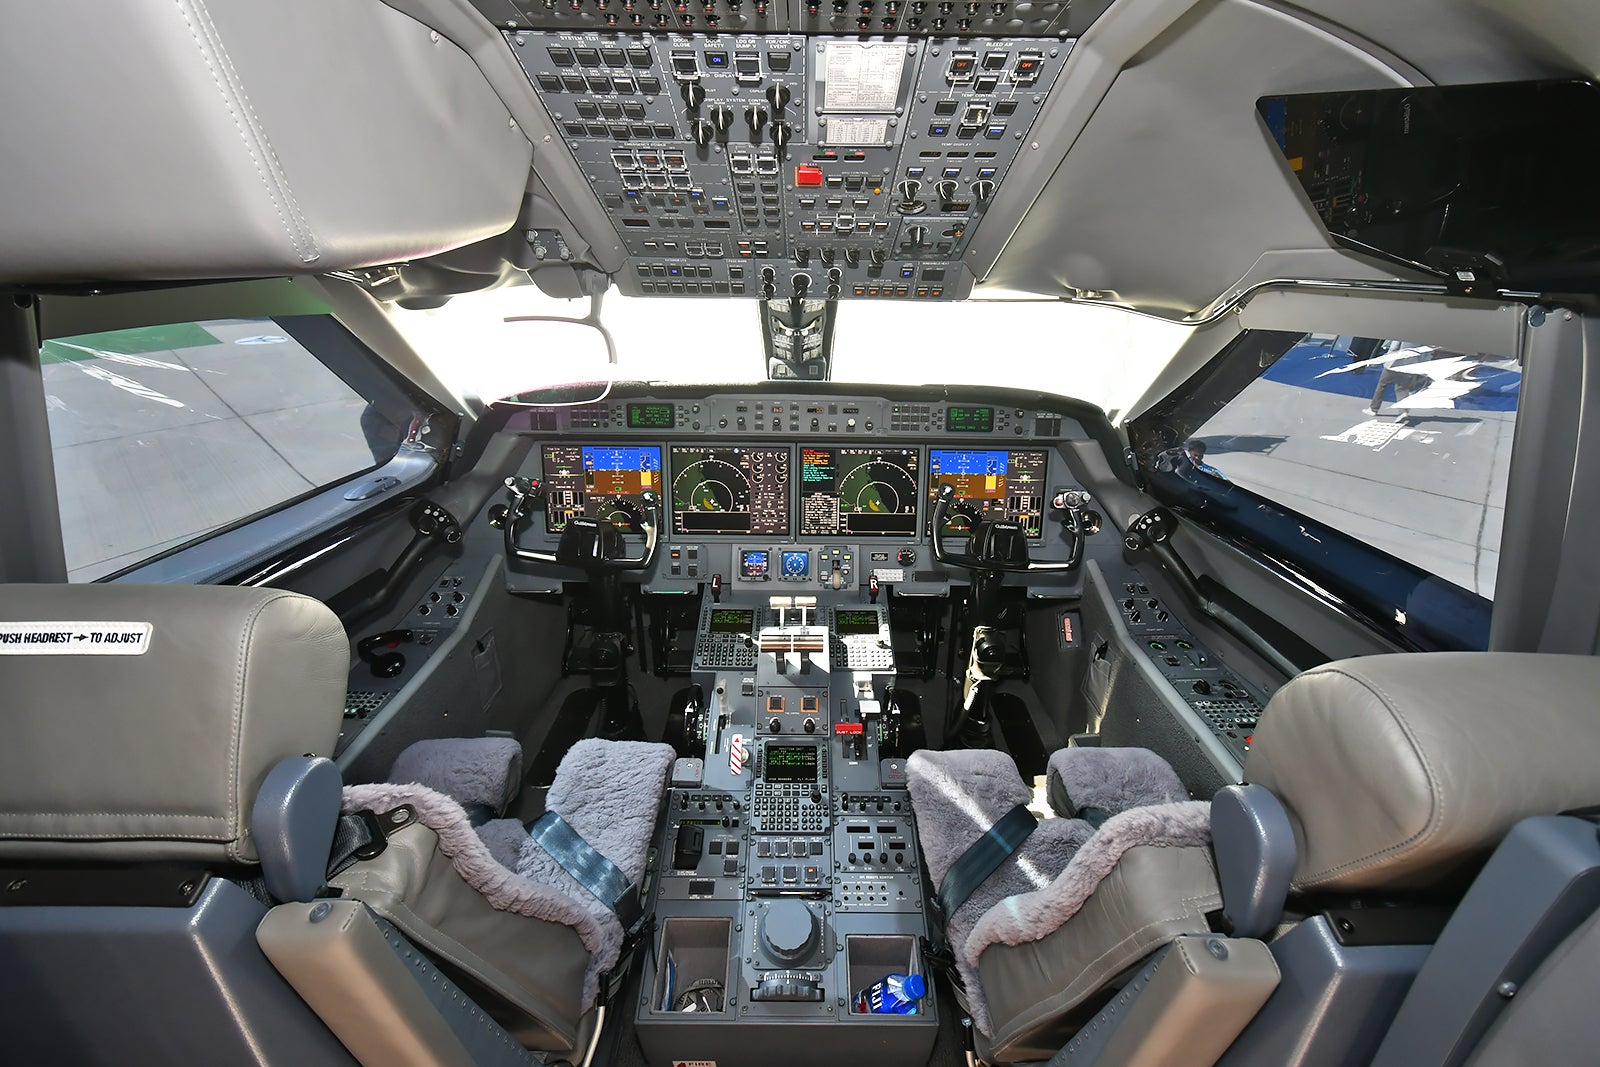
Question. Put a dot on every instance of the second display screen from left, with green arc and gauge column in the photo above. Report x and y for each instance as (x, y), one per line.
(730, 490)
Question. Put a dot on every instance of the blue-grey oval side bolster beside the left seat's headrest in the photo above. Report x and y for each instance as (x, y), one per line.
(294, 823)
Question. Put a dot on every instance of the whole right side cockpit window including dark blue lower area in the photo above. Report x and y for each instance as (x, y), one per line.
(1374, 466)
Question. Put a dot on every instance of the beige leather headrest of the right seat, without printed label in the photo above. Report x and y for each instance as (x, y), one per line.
(1399, 770)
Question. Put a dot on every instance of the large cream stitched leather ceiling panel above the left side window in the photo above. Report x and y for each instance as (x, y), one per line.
(226, 138)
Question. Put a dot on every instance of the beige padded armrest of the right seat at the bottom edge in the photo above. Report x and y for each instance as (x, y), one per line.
(1194, 1005)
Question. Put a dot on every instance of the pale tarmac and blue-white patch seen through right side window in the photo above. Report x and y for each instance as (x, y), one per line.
(1402, 446)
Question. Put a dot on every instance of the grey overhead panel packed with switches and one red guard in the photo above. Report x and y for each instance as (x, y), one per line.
(770, 166)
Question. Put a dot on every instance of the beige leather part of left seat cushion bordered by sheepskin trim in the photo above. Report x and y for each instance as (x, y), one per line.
(535, 965)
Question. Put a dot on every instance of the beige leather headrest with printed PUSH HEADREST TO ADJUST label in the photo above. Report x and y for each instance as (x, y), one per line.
(142, 721)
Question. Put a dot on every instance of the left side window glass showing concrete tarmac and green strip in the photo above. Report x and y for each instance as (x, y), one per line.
(166, 434)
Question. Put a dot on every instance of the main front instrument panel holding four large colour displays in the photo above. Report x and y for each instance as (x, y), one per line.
(796, 492)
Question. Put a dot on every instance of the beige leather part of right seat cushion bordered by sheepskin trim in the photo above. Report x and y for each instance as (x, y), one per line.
(1151, 897)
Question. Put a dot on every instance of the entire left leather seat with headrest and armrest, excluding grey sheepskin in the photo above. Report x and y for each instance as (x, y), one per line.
(180, 789)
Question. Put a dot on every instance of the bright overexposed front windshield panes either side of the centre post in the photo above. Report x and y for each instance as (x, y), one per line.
(1105, 356)
